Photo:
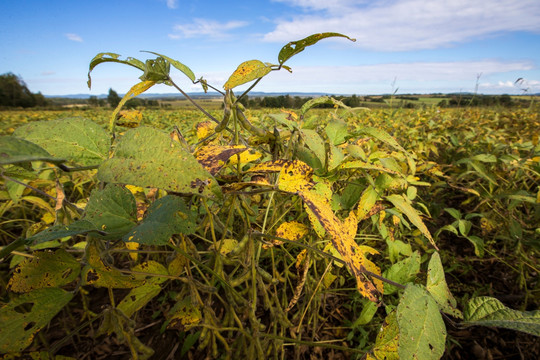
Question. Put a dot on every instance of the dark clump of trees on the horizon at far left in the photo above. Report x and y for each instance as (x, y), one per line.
(14, 93)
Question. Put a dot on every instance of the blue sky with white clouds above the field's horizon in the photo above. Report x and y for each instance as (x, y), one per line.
(414, 46)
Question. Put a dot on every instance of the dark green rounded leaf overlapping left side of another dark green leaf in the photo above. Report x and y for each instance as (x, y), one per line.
(112, 210)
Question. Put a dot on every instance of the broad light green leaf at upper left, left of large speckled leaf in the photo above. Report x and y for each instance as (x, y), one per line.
(75, 139)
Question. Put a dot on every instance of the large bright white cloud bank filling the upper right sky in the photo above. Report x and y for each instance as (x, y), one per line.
(401, 25)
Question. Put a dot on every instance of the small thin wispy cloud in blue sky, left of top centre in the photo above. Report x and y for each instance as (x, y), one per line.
(205, 28)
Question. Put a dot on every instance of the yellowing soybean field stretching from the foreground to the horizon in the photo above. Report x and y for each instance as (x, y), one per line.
(258, 270)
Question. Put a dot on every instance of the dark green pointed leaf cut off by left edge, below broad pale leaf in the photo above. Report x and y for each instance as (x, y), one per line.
(14, 151)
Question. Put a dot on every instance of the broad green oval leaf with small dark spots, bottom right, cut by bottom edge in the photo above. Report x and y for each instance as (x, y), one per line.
(422, 332)
